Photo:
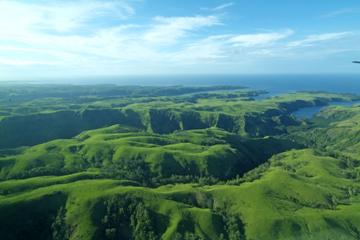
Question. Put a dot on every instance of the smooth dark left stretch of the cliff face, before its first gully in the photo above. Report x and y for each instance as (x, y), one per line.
(33, 129)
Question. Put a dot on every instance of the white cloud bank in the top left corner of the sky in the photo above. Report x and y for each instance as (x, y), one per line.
(18, 17)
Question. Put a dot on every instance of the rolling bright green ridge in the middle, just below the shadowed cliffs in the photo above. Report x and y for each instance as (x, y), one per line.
(119, 151)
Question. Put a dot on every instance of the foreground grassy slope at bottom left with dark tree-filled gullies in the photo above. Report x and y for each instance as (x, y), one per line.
(104, 209)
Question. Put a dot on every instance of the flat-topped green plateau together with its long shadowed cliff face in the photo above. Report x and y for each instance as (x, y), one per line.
(42, 120)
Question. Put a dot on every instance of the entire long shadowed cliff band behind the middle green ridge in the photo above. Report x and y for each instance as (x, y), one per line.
(33, 129)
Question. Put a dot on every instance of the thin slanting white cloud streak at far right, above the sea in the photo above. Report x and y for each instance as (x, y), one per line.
(313, 39)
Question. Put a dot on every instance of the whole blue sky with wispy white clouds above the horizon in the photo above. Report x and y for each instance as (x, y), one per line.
(54, 39)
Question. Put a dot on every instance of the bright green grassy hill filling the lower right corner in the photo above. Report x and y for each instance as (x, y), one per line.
(300, 195)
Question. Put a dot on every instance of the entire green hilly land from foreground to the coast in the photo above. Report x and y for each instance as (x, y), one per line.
(140, 163)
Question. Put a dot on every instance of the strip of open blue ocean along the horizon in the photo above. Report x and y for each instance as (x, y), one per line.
(274, 84)
